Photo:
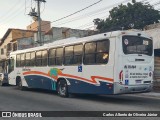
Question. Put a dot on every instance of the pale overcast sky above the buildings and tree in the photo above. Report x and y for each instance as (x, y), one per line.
(15, 14)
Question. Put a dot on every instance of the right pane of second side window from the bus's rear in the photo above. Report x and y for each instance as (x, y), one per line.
(78, 54)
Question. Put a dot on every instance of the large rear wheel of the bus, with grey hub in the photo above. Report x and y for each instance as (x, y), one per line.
(63, 88)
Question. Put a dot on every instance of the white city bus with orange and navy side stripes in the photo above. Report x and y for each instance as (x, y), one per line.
(117, 62)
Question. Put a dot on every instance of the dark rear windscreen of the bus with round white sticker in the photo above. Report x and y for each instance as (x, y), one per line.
(137, 45)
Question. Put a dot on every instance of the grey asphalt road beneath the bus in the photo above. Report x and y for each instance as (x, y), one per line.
(12, 99)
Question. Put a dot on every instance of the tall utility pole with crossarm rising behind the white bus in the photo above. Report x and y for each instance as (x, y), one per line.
(38, 15)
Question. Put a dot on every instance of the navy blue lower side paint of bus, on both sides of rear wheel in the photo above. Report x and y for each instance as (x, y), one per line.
(35, 81)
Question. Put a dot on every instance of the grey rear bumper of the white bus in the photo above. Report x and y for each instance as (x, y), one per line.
(122, 89)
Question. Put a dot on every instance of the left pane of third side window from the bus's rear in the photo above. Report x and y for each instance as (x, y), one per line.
(52, 53)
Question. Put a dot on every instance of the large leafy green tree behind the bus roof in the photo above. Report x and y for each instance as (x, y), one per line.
(133, 15)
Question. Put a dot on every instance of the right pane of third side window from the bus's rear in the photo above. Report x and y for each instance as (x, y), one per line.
(59, 56)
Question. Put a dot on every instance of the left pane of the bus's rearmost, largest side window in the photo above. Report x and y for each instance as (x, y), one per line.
(89, 55)
